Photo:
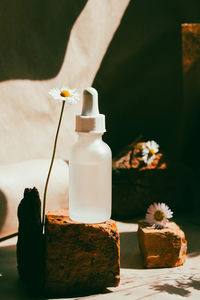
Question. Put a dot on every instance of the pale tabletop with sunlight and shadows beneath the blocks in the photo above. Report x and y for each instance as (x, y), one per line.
(136, 282)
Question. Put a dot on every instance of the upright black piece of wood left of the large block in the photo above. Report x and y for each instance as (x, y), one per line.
(30, 244)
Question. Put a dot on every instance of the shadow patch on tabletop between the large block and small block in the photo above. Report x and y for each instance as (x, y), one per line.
(130, 255)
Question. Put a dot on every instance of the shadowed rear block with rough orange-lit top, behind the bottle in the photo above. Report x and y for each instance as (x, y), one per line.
(136, 185)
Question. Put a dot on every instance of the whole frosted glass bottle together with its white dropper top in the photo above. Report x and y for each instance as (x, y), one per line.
(90, 163)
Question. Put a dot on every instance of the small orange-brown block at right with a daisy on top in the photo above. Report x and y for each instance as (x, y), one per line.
(164, 247)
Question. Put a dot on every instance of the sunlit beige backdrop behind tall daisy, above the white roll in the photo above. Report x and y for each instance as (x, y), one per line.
(28, 116)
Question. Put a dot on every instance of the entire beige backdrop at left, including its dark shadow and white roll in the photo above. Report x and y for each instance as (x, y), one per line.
(31, 64)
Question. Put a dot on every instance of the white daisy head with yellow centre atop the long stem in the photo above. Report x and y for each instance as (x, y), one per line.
(70, 96)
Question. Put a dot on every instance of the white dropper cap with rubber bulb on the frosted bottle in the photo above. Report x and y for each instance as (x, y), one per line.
(90, 119)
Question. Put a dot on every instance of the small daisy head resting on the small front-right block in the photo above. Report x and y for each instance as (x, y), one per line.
(158, 215)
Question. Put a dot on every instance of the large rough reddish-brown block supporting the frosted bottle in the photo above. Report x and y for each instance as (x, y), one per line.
(80, 257)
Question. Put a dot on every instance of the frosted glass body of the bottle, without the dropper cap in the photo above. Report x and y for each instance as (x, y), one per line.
(90, 180)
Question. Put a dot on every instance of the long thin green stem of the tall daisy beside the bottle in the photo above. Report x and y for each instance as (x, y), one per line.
(51, 165)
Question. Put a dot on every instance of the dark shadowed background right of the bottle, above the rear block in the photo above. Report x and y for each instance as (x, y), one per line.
(140, 81)
